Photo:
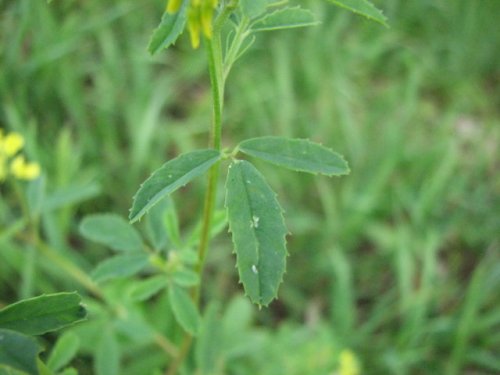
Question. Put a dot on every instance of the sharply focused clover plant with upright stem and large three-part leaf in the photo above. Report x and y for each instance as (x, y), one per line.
(254, 214)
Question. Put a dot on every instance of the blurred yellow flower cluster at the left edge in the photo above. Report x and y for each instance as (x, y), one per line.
(11, 163)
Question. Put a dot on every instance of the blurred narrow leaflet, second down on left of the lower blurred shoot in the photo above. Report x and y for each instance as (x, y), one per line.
(120, 266)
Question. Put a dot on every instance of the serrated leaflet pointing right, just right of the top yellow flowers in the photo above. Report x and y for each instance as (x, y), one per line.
(285, 18)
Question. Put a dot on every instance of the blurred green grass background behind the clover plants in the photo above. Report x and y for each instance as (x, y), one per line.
(398, 262)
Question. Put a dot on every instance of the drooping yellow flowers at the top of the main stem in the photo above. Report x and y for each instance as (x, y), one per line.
(200, 17)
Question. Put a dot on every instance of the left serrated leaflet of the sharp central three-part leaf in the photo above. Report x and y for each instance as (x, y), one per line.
(170, 177)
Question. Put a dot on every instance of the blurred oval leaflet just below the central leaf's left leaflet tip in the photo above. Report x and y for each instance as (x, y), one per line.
(111, 230)
